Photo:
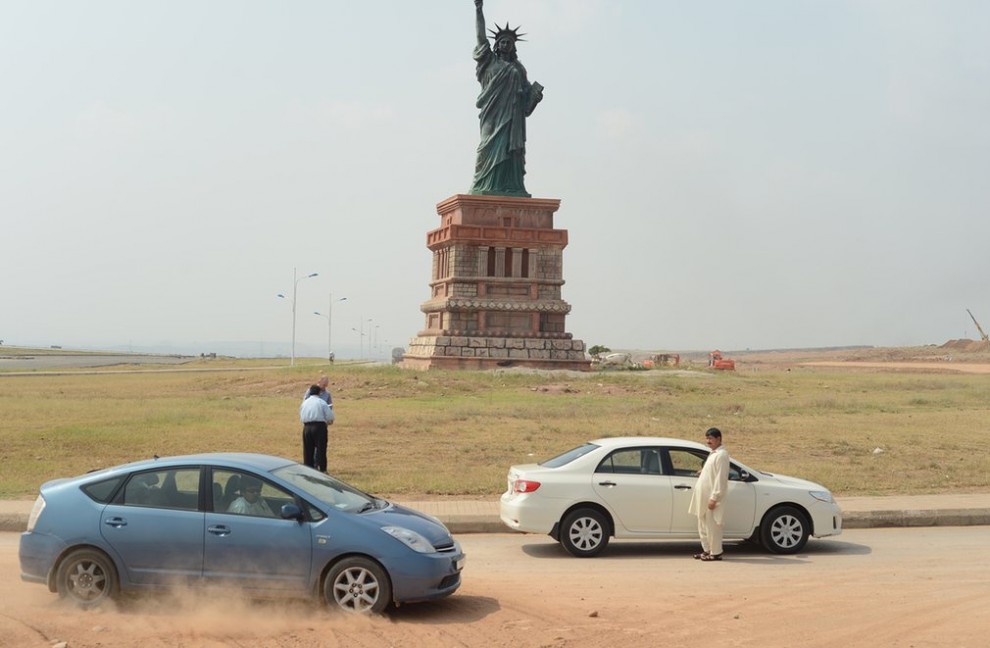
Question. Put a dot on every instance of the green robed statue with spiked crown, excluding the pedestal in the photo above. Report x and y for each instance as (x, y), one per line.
(507, 98)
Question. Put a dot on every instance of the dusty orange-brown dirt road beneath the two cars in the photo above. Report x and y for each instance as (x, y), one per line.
(878, 587)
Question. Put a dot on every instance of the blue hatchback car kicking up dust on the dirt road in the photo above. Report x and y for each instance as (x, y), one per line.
(265, 525)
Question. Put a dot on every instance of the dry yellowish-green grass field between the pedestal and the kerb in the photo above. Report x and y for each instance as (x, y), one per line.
(411, 434)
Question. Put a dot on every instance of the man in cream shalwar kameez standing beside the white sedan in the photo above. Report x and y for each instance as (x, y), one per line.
(708, 499)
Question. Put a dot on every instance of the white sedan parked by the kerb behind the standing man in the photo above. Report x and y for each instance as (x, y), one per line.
(639, 488)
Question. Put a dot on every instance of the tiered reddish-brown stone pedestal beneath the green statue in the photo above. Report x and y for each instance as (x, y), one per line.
(495, 297)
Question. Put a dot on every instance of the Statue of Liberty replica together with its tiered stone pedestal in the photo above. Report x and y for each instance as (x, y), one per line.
(497, 270)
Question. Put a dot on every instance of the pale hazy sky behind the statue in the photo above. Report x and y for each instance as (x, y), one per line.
(747, 174)
